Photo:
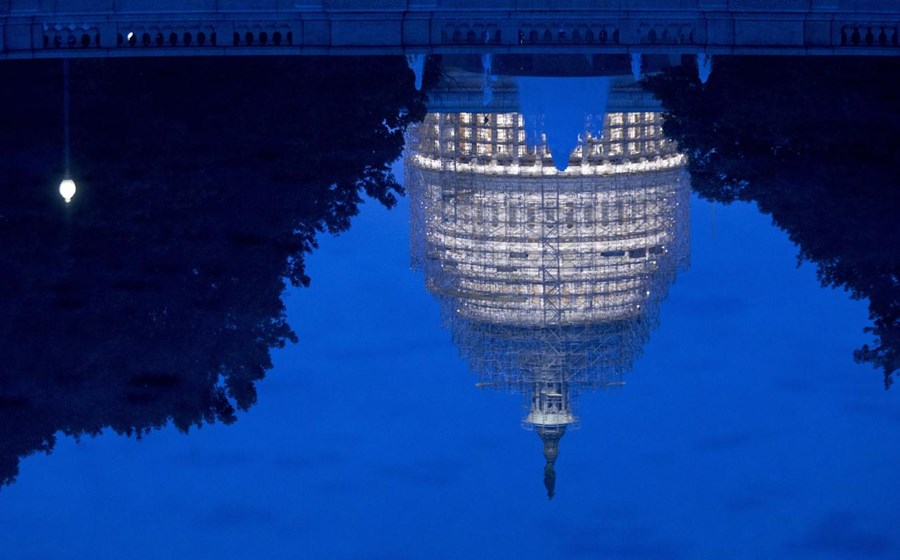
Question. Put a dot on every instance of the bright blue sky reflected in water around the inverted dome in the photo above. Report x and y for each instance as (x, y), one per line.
(744, 431)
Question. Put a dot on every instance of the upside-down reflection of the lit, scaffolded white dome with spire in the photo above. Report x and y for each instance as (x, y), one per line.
(549, 281)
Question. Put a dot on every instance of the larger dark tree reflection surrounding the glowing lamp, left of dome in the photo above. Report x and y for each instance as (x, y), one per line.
(155, 296)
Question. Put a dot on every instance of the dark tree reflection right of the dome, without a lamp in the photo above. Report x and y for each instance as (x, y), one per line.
(814, 143)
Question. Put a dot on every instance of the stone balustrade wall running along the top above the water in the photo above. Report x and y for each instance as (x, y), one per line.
(84, 28)
